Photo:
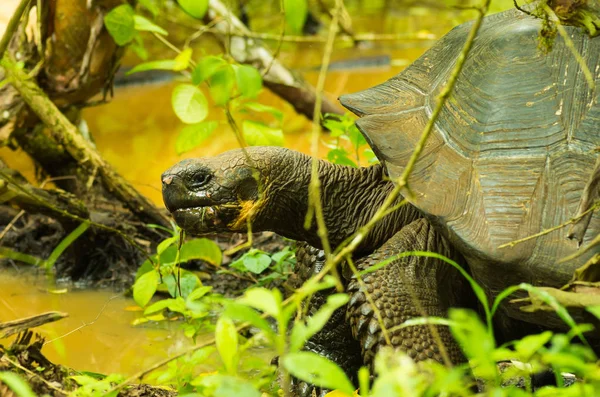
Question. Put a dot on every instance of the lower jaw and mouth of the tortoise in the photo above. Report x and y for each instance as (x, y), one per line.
(205, 219)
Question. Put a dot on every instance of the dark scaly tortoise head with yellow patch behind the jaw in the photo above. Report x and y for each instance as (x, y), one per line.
(217, 194)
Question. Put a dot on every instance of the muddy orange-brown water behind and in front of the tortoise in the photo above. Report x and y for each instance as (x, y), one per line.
(136, 133)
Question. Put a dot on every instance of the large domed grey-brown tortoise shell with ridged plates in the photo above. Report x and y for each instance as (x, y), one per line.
(511, 151)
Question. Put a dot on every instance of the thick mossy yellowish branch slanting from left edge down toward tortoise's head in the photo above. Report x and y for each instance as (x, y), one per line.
(77, 146)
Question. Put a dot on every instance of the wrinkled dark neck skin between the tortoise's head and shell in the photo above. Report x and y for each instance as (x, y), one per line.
(350, 197)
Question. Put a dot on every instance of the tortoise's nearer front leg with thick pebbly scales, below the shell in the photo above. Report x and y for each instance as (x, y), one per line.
(406, 288)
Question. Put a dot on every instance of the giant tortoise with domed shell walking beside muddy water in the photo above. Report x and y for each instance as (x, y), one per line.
(510, 155)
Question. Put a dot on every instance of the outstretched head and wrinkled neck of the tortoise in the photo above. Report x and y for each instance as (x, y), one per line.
(220, 194)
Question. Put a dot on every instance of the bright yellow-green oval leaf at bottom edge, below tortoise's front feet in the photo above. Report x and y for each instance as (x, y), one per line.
(317, 370)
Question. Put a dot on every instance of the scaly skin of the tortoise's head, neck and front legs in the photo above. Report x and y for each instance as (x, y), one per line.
(269, 188)
